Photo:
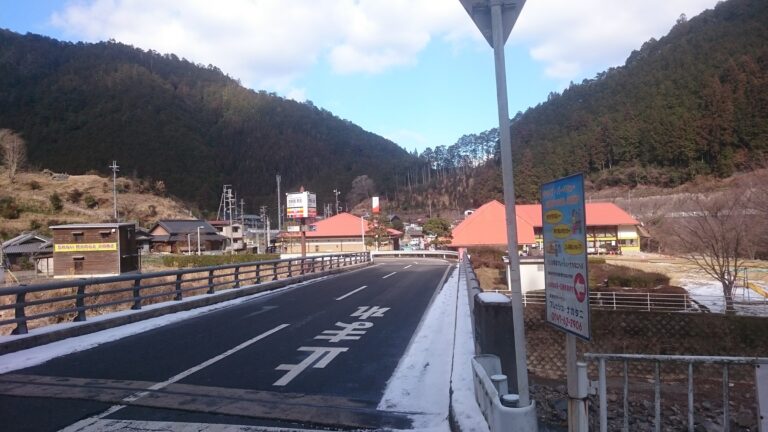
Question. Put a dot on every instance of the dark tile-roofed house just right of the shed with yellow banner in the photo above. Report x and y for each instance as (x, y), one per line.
(184, 236)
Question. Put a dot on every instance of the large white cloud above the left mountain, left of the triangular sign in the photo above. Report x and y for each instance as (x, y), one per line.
(269, 43)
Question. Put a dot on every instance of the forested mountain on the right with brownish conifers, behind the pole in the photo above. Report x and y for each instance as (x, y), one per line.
(693, 103)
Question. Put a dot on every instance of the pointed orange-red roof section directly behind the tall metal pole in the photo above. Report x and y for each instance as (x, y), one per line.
(487, 227)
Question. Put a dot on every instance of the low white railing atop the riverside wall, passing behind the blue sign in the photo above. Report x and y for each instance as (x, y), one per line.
(643, 301)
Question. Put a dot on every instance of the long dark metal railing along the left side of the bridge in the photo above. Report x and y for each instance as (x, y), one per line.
(79, 296)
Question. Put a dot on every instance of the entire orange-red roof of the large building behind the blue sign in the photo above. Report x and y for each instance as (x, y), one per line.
(486, 226)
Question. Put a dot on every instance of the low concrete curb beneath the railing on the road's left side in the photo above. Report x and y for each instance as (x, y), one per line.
(57, 332)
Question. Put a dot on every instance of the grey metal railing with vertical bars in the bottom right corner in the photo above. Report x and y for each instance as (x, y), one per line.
(760, 388)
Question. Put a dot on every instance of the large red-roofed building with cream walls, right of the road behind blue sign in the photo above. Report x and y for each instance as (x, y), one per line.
(609, 228)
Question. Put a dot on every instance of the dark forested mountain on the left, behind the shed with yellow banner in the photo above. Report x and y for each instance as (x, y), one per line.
(80, 106)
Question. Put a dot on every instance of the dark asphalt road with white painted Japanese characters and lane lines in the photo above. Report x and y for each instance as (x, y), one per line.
(318, 354)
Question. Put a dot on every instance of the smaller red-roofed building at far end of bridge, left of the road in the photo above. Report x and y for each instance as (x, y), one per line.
(341, 233)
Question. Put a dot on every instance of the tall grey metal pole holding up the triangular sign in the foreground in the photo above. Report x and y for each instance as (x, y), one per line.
(509, 204)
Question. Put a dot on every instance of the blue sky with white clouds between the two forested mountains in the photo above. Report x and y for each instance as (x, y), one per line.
(417, 72)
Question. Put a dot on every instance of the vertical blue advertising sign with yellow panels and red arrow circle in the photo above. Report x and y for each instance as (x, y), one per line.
(565, 255)
